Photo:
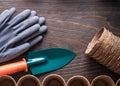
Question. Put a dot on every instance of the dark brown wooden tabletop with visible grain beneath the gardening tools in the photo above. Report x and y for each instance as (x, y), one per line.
(72, 24)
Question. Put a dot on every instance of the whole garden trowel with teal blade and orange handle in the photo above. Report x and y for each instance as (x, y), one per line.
(40, 61)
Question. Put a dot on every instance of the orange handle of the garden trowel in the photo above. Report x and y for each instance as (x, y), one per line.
(14, 67)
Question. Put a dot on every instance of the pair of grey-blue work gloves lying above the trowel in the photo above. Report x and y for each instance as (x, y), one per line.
(19, 33)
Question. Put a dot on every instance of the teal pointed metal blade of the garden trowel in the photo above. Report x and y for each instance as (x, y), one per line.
(55, 58)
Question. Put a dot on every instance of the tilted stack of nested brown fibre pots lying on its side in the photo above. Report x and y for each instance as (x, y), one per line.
(105, 48)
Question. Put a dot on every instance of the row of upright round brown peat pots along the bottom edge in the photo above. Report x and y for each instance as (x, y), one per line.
(57, 80)
